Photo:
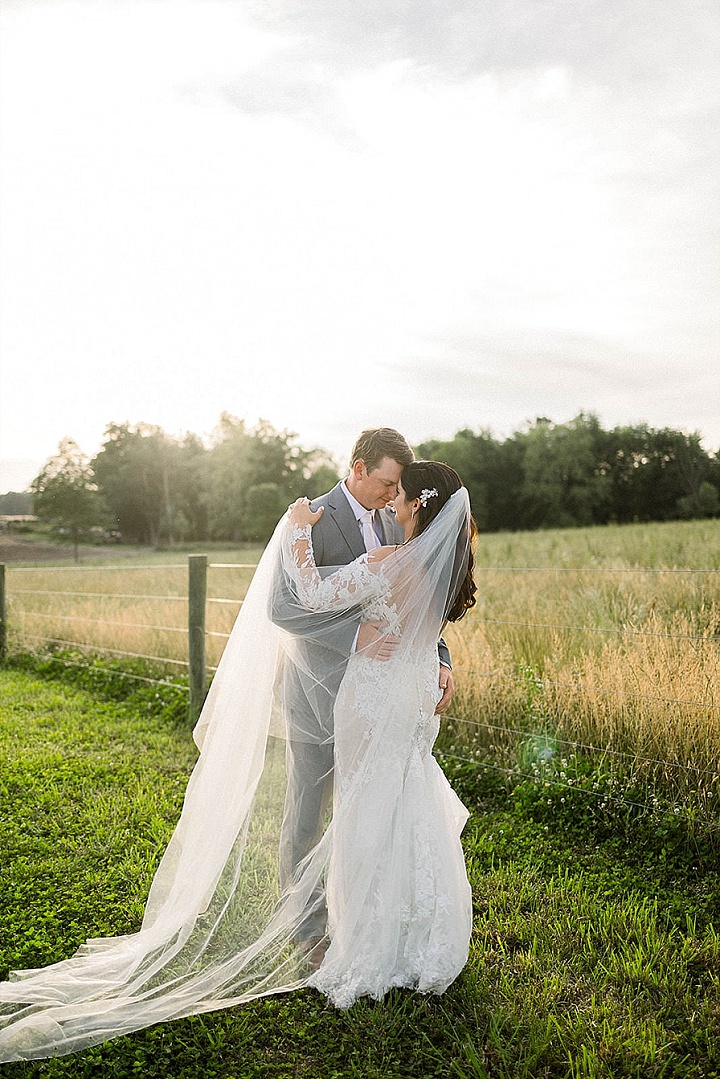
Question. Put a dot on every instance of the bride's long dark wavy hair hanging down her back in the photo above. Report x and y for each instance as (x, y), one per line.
(433, 476)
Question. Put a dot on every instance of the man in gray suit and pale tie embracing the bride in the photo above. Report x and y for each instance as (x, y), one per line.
(356, 521)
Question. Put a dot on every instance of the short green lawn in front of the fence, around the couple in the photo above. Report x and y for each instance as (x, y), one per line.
(595, 951)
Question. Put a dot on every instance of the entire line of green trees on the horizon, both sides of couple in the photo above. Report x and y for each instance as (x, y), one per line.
(147, 487)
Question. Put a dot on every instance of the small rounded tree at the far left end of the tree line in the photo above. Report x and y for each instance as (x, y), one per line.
(65, 496)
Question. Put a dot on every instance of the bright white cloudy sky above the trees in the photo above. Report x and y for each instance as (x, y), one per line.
(336, 214)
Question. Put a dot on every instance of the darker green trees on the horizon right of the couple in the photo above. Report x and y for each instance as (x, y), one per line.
(565, 475)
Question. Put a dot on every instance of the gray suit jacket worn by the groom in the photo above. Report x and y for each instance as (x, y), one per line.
(337, 541)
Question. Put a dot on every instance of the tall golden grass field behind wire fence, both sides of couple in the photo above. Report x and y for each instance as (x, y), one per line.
(604, 638)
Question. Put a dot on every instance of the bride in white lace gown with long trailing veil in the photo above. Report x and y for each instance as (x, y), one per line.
(222, 923)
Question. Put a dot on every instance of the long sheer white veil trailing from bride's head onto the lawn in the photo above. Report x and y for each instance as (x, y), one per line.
(223, 920)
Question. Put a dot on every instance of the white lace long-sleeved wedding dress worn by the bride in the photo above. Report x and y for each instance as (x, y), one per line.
(400, 906)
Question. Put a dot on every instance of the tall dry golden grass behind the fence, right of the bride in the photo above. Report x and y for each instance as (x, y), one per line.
(604, 638)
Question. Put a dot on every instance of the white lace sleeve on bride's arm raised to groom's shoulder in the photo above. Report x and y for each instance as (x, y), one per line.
(346, 588)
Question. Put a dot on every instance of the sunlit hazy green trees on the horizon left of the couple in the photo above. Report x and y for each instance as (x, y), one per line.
(147, 487)
